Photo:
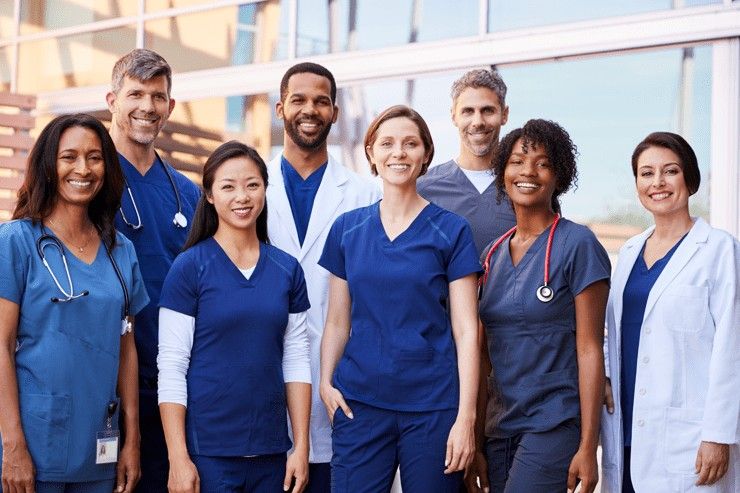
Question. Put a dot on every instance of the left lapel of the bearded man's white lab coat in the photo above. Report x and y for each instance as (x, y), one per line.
(279, 213)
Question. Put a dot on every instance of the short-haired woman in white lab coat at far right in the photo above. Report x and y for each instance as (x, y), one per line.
(673, 321)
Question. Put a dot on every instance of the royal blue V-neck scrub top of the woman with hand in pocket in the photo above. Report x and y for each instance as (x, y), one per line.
(400, 354)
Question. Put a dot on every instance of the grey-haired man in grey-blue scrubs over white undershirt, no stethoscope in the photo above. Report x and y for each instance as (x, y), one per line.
(464, 185)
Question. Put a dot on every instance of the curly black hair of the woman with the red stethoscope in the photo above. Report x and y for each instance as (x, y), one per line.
(561, 151)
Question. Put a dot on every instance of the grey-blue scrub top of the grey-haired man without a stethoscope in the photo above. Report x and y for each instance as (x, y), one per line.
(447, 186)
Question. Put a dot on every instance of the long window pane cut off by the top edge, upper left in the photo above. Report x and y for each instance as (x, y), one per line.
(44, 15)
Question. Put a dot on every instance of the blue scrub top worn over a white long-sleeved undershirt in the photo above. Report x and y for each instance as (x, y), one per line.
(236, 390)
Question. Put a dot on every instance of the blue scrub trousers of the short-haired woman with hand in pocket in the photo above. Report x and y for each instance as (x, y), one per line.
(369, 448)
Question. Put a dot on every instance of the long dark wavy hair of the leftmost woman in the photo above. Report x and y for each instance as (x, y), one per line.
(40, 189)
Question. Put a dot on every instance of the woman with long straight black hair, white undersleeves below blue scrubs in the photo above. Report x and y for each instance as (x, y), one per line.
(233, 343)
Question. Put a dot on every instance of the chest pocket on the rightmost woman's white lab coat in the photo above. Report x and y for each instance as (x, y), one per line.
(687, 308)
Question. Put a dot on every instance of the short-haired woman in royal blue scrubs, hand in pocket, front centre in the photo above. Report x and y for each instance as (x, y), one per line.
(400, 385)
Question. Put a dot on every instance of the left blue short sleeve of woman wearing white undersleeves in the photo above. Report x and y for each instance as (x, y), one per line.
(180, 289)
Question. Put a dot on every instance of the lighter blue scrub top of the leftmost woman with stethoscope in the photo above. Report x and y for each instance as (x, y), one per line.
(68, 353)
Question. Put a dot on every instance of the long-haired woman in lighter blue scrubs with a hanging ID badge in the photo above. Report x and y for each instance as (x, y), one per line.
(67, 281)
